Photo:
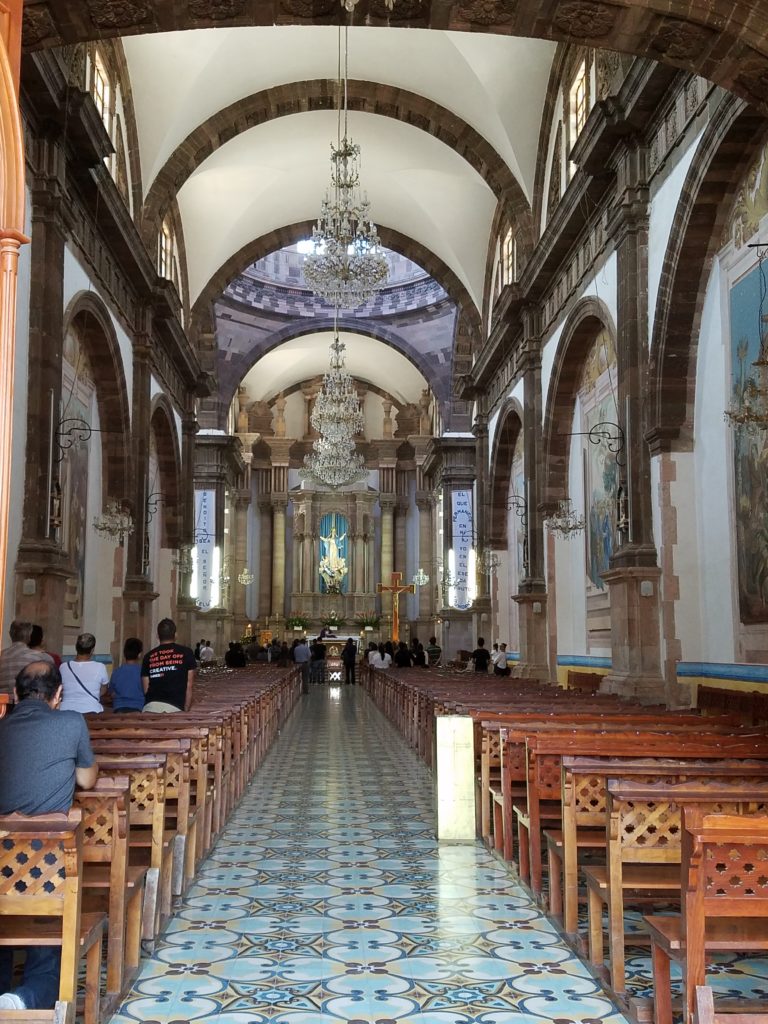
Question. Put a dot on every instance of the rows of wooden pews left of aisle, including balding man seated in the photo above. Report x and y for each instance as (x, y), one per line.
(103, 863)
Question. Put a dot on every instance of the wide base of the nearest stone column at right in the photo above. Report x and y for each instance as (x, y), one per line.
(635, 635)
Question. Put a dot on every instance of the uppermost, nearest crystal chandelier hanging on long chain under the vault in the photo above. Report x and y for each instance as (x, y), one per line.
(347, 267)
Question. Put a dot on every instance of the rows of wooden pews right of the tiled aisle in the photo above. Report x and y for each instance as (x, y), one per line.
(603, 805)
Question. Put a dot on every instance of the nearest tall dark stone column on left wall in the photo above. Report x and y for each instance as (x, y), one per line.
(41, 566)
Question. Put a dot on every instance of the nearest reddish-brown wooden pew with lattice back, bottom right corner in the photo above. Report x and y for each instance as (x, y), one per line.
(726, 903)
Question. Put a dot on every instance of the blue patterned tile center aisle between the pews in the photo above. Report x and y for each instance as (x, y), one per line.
(327, 900)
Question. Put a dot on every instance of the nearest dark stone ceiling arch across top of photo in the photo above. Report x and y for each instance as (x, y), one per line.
(721, 40)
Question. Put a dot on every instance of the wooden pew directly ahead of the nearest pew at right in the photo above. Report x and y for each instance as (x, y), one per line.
(645, 850)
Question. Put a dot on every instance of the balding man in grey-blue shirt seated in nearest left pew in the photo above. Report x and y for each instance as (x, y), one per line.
(45, 753)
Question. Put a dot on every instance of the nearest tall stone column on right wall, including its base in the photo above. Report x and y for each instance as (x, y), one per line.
(633, 578)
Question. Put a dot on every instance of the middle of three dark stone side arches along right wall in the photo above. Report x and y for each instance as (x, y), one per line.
(586, 321)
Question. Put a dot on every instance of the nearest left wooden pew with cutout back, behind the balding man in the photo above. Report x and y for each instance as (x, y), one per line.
(40, 867)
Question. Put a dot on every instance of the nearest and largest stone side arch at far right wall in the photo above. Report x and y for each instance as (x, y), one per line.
(733, 140)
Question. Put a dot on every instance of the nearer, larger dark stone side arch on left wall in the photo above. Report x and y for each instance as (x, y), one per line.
(89, 315)
